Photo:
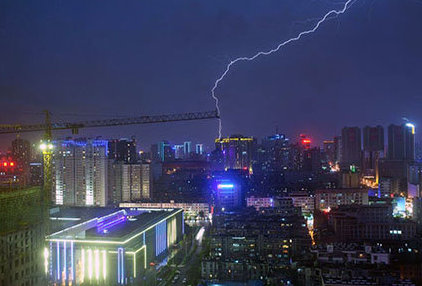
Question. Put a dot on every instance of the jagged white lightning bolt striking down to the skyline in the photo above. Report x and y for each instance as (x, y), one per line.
(327, 16)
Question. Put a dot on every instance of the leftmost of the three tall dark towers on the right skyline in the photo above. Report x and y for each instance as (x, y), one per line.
(351, 147)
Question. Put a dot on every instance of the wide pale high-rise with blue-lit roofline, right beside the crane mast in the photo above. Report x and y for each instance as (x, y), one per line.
(80, 172)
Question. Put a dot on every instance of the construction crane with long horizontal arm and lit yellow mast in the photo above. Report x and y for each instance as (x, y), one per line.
(47, 144)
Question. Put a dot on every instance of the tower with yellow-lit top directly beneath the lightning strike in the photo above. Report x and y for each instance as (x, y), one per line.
(238, 151)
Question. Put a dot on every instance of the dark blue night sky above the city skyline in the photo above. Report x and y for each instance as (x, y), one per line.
(101, 59)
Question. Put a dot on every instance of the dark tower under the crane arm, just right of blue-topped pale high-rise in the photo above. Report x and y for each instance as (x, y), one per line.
(123, 150)
